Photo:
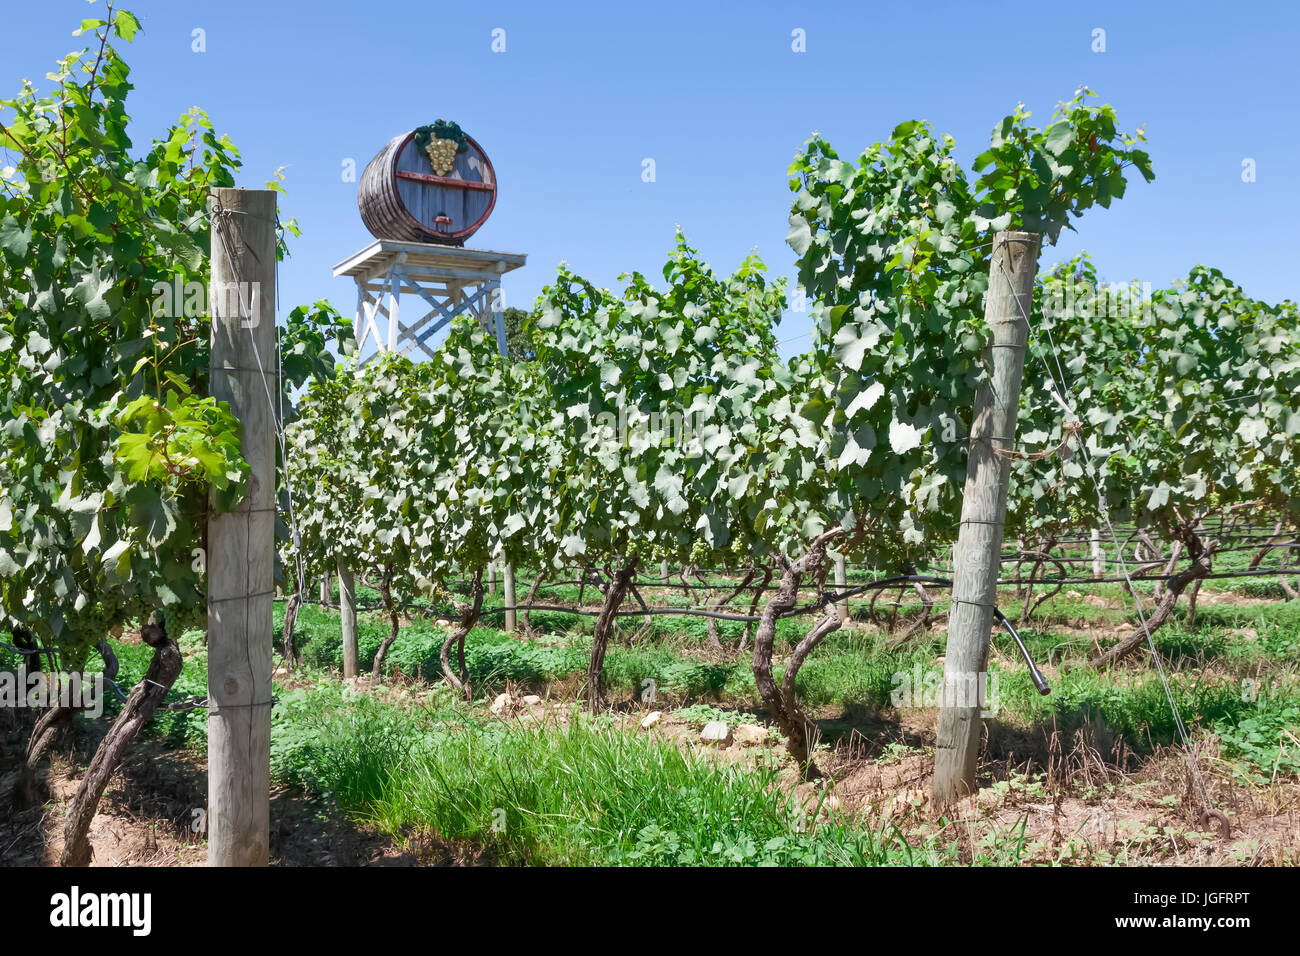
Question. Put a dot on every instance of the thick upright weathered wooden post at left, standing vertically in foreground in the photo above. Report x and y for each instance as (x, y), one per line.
(242, 544)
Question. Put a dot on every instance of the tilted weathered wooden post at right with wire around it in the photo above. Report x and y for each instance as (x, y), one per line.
(978, 556)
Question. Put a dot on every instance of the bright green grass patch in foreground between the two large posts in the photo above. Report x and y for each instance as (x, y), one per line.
(584, 794)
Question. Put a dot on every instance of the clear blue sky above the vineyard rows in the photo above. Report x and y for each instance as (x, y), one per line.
(720, 100)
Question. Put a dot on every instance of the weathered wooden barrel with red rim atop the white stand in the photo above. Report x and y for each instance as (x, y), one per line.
(402, 198)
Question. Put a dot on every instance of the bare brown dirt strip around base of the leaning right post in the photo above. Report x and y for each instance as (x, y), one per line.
(1082, 810)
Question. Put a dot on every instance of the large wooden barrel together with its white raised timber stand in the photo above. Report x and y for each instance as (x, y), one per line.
(423, 197)
